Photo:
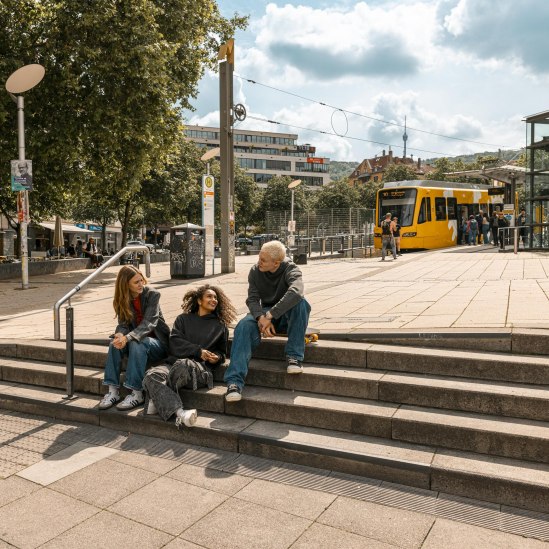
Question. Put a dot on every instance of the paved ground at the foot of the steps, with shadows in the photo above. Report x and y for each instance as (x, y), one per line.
(199, 497)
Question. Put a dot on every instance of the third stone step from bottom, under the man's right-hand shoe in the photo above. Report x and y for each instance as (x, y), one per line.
(487, 397)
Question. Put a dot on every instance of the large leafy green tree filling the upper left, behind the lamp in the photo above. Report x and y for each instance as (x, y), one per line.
(118, 75)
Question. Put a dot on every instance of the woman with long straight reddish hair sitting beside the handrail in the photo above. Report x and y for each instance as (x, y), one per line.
(141, 335)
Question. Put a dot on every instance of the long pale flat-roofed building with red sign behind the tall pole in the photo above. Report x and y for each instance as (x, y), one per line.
(266, 154)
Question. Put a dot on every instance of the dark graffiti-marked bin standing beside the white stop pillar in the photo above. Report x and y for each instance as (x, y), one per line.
(187, 251)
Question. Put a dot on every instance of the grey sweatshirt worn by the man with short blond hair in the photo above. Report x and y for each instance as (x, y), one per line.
(280, 291)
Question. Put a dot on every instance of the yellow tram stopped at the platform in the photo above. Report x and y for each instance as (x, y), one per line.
(429, 211)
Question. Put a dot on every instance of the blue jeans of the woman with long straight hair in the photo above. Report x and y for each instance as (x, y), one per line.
(139, 353)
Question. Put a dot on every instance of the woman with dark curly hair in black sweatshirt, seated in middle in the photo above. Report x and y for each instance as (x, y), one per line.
(198, 343)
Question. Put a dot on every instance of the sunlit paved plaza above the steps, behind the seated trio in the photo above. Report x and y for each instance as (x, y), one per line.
(466, 287)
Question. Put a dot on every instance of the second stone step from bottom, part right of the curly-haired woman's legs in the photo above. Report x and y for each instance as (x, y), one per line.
(481, 433)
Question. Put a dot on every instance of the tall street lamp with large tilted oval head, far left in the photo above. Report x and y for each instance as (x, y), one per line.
(22, 80)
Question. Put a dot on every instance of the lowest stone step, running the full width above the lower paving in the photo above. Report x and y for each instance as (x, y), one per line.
(494, 479)
